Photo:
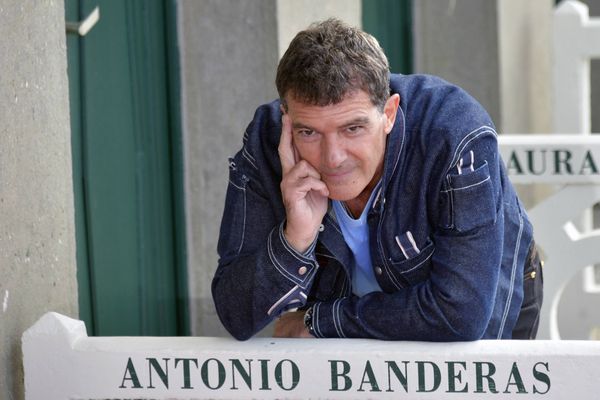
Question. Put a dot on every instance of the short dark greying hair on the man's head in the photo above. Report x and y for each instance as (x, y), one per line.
(329, 60)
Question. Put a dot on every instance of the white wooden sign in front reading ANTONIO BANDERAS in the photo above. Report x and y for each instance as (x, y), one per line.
(62, 362)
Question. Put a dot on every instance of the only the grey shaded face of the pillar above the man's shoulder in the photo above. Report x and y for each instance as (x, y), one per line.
(457, 40)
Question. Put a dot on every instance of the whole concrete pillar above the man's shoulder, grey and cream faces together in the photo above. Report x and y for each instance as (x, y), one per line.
(499, 51)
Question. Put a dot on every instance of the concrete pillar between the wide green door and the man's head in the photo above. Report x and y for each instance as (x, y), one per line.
(229, 53)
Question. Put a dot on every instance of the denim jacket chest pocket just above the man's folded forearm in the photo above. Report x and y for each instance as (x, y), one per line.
(414, 269)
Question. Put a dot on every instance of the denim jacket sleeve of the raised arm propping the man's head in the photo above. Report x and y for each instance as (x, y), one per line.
(259, 275)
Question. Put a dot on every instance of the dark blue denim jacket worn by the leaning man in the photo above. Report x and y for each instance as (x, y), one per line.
(444, 195)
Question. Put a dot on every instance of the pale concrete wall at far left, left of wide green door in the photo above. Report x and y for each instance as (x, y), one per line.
(37, 241)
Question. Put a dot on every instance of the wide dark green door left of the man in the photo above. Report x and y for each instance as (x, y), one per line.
(127, 168)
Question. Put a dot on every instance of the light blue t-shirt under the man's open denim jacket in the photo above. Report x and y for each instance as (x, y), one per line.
(356, 235)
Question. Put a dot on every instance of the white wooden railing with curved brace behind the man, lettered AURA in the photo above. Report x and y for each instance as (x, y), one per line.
(571, 165)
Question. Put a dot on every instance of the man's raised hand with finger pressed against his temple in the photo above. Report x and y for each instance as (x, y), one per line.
(304, 193)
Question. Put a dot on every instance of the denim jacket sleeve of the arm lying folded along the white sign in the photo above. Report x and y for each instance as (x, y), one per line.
(455, 302)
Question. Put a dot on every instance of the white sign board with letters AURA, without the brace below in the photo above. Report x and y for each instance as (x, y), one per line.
(562, 159)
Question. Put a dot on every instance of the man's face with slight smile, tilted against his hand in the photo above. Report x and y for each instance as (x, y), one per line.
(344, 142)
